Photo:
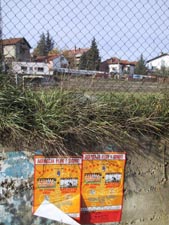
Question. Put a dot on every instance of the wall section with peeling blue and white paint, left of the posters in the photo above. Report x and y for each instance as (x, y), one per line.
(16, 185)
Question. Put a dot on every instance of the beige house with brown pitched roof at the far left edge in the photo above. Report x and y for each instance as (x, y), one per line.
(15, 49)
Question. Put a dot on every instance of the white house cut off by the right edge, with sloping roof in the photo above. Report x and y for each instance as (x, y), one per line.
(158, 62)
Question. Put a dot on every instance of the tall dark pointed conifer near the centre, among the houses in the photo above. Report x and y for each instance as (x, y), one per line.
(91, 59)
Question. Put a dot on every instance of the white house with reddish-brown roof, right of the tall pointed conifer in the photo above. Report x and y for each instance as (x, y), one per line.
(120, 67)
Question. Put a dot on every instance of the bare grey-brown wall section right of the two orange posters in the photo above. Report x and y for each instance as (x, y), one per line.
(146, 198)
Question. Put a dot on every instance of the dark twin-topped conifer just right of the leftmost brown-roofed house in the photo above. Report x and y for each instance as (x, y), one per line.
(44, 46)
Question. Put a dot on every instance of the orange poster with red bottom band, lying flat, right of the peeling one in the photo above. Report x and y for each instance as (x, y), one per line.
(102, 187)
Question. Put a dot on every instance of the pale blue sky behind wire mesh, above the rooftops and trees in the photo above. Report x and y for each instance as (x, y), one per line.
(122, 28)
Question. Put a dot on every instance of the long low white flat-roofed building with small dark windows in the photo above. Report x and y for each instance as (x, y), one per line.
(32, 68)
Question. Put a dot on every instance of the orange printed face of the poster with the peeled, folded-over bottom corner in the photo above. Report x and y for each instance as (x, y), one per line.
(58, 180)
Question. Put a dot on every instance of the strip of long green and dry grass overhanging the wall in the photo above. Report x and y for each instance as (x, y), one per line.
(65, 122)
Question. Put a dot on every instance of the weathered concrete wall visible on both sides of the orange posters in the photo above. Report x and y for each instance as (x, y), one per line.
(146, 188)
